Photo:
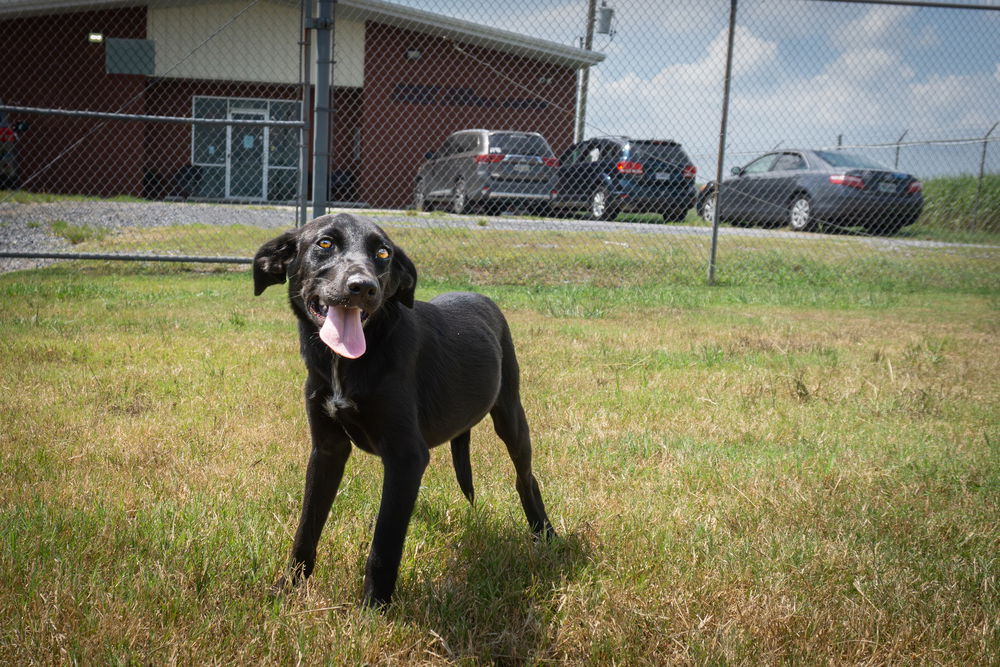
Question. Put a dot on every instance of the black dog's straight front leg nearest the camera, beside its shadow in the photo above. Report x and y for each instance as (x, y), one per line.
(402, 473)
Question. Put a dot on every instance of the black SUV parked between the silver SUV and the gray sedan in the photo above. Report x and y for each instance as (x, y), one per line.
(607, 175)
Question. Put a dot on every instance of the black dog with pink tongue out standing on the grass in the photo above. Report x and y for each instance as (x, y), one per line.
(392, 375)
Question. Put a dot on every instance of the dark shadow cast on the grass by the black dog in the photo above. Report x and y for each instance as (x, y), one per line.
(500, 592)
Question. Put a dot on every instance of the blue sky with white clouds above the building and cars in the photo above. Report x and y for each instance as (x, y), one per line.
(805, 73)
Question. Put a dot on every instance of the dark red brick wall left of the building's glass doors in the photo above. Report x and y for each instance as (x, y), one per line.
(48, 62)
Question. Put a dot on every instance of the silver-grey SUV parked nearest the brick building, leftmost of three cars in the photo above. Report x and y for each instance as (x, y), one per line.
(486, 169)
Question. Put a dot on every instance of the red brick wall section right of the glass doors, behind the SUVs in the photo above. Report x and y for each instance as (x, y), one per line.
(396, 134)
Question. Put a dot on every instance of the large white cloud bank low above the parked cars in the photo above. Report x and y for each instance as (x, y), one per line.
(867, 91)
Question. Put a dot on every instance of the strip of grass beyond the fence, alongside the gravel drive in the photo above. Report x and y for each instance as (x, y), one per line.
(484, 255)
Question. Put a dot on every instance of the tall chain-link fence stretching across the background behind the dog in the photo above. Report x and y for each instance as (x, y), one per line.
(619, 140)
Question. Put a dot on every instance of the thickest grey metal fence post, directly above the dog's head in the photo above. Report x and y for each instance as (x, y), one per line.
(321, 120)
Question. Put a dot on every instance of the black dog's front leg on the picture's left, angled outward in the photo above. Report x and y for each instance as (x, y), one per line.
(330, 451)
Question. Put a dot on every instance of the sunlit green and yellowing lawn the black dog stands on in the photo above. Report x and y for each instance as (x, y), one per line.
(752, 473)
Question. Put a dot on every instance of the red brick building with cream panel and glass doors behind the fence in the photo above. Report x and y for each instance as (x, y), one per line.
(403, 79)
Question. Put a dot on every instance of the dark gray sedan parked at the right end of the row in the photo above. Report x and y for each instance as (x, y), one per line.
(812, 189)
